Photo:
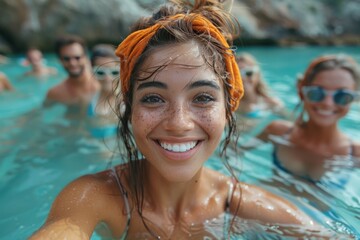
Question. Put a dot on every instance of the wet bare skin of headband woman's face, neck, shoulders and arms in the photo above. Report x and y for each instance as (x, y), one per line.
(178, 118)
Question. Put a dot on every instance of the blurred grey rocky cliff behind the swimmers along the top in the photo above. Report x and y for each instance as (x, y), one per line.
(25, 23)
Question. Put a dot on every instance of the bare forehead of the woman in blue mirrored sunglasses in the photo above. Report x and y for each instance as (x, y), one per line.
(335, 78)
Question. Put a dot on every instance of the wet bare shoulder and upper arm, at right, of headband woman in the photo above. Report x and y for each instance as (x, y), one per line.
(259, 204)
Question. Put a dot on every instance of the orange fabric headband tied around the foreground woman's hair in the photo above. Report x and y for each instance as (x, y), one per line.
(133, 46)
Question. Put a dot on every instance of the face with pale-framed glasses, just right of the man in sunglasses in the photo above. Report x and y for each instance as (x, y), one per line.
(106, 70)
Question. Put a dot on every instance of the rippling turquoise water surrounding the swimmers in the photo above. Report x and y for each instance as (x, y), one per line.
(43, 149)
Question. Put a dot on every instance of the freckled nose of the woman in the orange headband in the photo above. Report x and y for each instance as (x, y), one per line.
(179, 118)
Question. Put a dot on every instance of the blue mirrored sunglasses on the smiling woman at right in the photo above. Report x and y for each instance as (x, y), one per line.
(341, 97)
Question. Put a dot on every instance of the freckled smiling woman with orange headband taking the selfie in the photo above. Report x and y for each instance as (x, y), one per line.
(180, 85)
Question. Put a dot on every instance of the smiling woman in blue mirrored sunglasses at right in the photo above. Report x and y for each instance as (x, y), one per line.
(327, 89)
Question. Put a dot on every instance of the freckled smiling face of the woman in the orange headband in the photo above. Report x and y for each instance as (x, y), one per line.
(178, 114)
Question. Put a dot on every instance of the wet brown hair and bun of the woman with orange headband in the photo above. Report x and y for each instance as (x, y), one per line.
(178, 31)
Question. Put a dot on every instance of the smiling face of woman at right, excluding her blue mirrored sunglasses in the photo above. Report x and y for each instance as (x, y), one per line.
(326, 112)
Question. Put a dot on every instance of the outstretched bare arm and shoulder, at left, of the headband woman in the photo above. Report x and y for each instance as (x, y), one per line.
(81, 205)
